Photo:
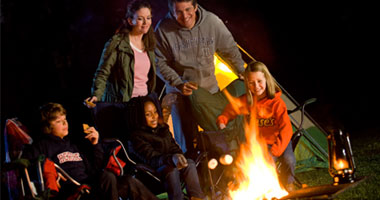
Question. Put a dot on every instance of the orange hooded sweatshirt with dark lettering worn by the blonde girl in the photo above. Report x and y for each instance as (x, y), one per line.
(273, 120)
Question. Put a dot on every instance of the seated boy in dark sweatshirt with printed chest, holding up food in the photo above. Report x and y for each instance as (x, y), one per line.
(85, 168)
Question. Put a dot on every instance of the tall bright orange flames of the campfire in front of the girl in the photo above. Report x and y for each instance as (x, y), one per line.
(257, 177)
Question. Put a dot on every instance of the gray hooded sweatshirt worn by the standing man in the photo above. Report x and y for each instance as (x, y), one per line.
(188, 54)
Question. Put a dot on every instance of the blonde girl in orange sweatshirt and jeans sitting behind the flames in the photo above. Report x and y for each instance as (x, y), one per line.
(272, 117)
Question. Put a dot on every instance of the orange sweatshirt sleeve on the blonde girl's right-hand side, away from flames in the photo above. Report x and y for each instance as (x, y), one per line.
(285, 129)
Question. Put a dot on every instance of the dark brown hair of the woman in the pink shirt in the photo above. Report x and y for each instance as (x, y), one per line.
(149, 38)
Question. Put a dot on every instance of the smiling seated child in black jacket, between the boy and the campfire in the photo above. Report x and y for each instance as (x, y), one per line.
(154, 142)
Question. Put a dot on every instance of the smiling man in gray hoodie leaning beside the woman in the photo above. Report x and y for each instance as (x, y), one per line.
(187, 39)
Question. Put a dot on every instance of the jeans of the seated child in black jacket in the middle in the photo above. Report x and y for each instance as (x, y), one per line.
(173, 181)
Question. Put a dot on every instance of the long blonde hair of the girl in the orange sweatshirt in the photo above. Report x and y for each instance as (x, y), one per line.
(271, 87)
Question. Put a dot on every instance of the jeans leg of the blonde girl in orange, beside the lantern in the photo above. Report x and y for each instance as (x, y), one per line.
(287, 165)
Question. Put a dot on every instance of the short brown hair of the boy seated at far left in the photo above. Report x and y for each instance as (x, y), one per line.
(49, 112)
